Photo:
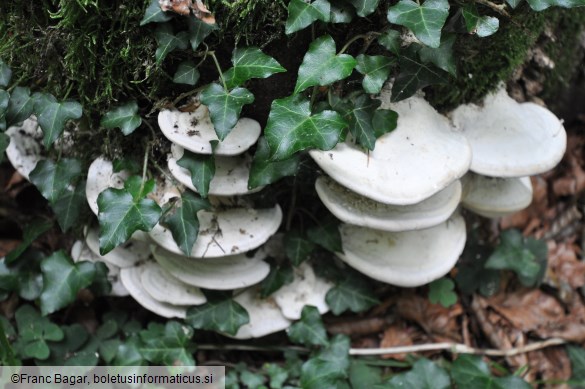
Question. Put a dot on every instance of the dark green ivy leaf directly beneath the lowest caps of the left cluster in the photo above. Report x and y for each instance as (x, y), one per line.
(219, 314)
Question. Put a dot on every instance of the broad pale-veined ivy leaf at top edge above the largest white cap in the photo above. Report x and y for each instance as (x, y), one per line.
(425, 21)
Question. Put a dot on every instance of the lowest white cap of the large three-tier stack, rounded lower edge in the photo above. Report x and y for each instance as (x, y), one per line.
(409, 258)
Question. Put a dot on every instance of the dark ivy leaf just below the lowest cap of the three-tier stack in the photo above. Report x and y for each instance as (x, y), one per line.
(352, 293)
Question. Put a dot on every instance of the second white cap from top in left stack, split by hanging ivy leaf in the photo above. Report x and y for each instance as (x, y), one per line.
(230, 178)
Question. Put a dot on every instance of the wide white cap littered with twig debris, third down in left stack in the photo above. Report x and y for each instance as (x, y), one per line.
(229, 232)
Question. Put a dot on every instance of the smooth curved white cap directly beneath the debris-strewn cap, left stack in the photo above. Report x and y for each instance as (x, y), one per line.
(228, 272)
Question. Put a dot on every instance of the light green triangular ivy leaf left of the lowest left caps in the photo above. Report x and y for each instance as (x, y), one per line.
(62, 279)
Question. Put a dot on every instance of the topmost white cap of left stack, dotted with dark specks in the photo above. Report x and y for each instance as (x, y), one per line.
(194, 130)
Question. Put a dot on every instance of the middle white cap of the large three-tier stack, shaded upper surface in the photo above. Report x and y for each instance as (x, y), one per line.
(356, 209)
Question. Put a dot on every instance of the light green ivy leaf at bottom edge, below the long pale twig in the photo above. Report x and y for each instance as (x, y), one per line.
(424, 375)
